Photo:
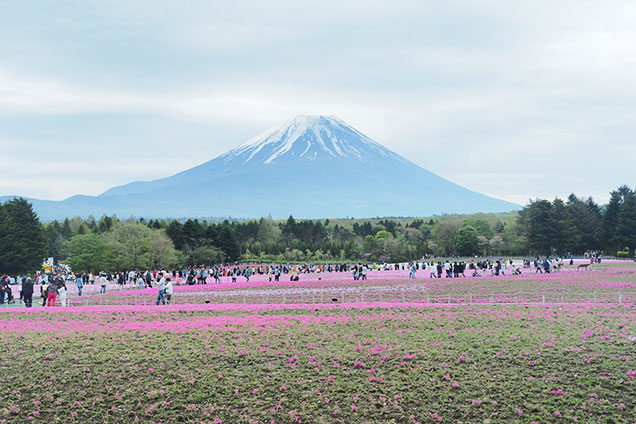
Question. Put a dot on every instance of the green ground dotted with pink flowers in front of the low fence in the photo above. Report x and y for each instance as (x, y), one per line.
(353, 363)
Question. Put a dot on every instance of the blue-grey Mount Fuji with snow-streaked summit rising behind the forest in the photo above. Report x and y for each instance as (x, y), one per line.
(311, 167)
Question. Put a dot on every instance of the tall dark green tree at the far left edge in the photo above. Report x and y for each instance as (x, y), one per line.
(22, 242)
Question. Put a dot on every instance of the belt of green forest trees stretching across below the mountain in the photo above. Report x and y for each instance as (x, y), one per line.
(542, 227)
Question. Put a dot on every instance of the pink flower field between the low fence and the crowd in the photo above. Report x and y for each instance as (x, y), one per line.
(613, 285)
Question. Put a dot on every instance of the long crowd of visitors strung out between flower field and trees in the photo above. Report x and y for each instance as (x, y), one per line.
(54, 283)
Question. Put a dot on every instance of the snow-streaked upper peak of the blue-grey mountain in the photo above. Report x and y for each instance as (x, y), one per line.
(308, 137)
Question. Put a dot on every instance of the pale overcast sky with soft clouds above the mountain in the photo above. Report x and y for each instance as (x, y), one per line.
(513, 99)
